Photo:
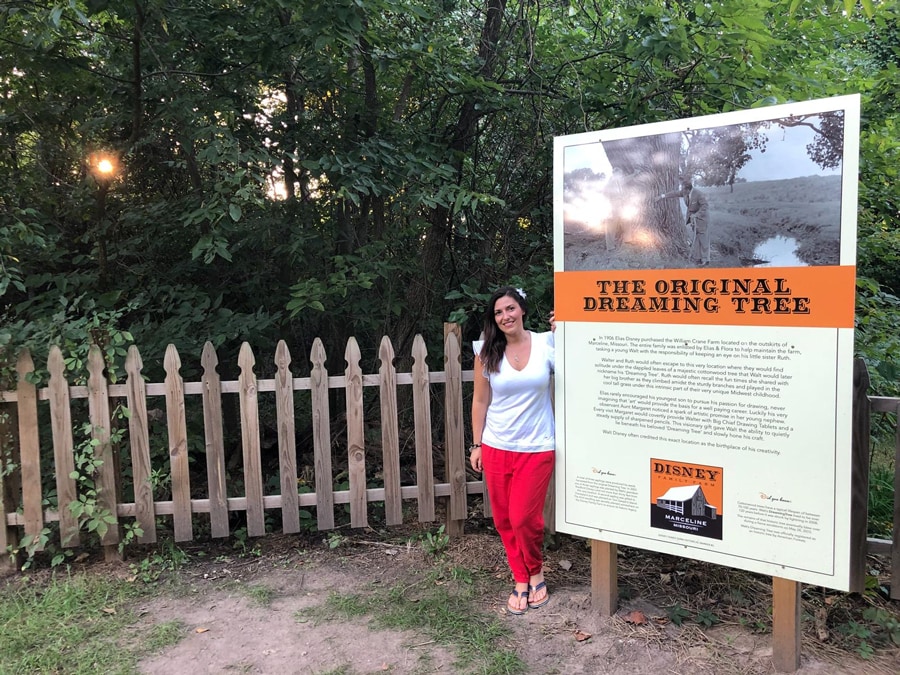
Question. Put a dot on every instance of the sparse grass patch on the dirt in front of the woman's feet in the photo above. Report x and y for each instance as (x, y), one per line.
(445, 611)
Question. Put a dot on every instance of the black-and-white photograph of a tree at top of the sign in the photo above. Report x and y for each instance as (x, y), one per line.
(759, 194)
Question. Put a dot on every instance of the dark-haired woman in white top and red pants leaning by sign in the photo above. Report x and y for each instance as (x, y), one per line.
(514, 437)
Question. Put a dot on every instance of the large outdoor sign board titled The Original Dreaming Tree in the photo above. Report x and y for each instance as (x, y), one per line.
(705, 273)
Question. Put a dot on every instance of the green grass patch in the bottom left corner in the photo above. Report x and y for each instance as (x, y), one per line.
(70, 624)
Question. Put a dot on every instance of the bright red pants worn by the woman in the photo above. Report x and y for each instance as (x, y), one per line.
(517, 485)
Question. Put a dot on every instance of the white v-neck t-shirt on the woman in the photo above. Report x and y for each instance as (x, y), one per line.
(520, 415)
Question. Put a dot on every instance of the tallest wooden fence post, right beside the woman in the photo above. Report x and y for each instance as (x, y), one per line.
(454, 447)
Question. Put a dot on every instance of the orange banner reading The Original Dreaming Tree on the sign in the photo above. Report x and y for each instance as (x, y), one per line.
(820, 297)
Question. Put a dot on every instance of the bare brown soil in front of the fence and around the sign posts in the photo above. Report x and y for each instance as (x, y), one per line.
(226, 630)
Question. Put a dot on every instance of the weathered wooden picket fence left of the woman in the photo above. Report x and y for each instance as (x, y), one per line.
(22, 508)
